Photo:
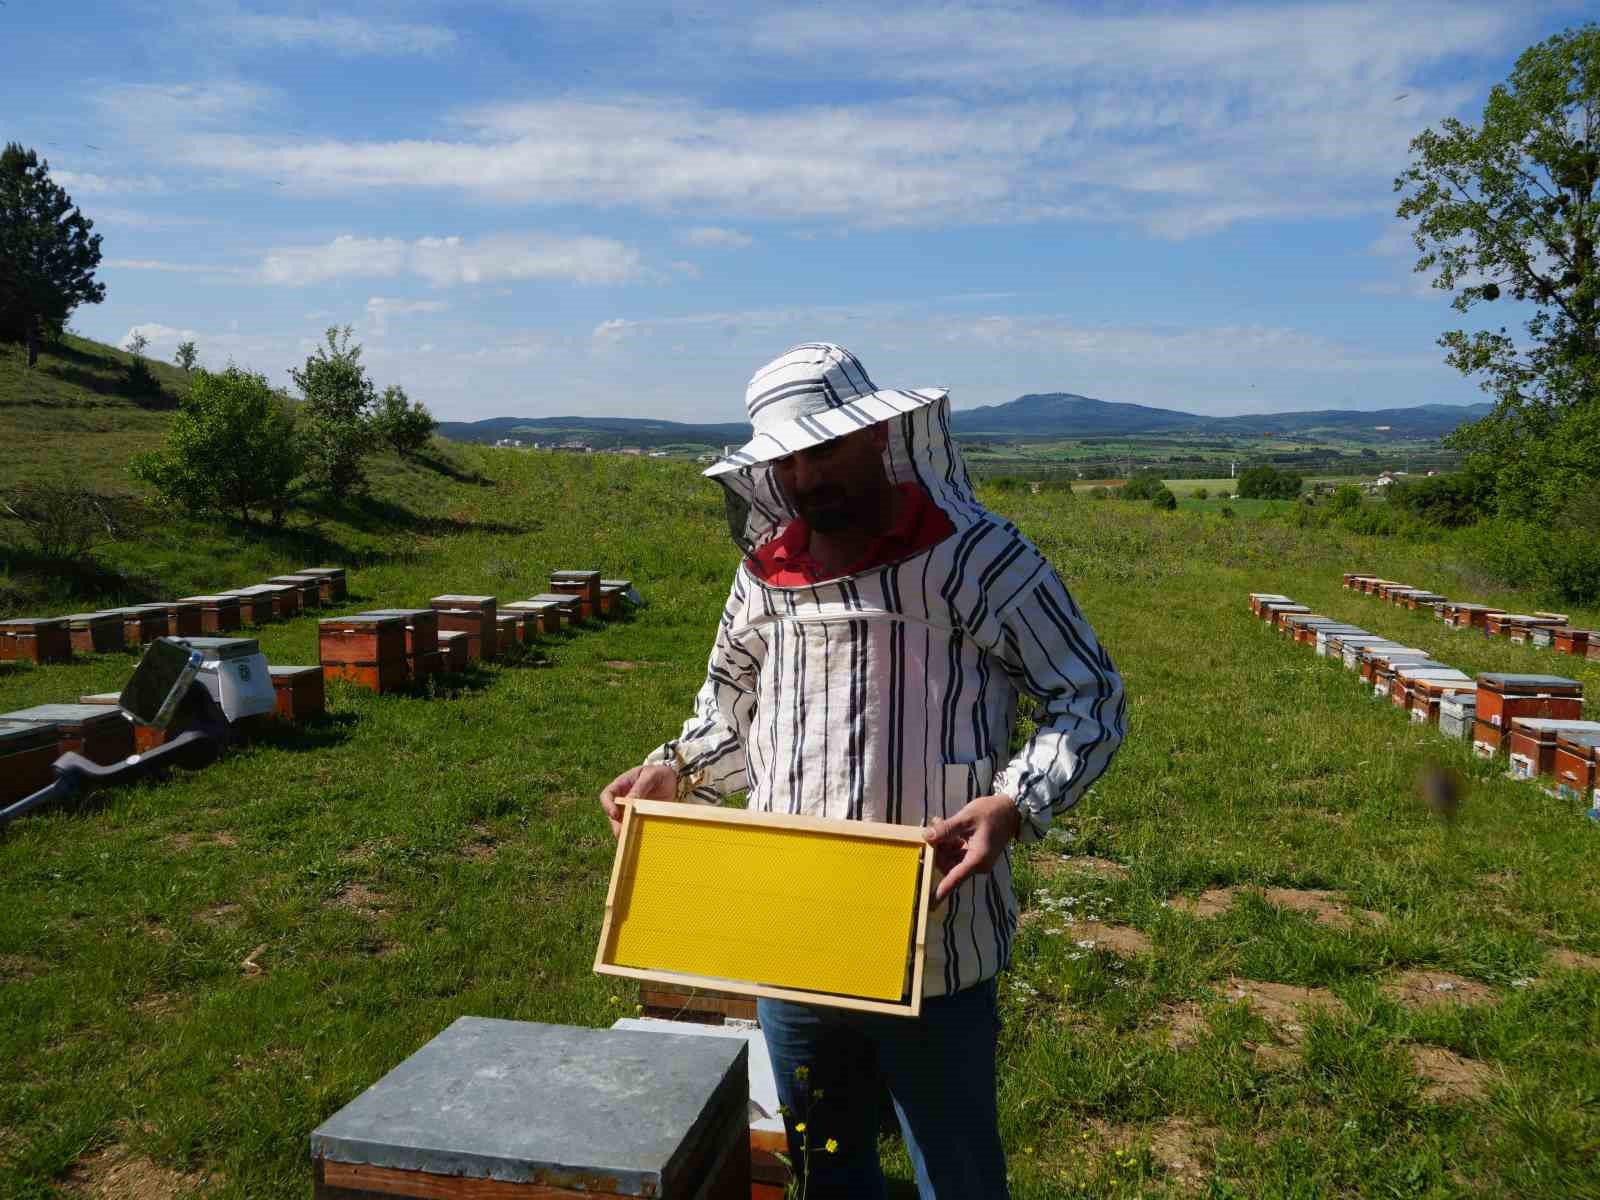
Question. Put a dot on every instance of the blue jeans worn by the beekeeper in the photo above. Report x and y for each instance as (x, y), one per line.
(942, 1076)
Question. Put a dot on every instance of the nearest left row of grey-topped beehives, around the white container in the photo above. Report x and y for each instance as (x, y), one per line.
(31, 740)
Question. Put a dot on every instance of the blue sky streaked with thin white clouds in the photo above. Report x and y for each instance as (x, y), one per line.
(625, 209)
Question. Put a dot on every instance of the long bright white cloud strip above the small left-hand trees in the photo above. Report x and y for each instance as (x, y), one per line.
(447, 262)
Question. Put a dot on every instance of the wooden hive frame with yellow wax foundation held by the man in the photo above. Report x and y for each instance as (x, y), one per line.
(770, 905)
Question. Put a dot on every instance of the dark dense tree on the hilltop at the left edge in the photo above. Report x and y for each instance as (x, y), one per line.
(47, 252)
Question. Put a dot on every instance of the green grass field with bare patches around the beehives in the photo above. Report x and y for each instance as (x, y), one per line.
(1254, 964)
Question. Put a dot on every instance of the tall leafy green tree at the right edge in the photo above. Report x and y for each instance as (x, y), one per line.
(1510, 212)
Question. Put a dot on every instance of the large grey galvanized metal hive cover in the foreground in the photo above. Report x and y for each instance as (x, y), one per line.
(540, 1105)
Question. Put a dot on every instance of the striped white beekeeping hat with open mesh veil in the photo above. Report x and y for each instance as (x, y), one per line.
(814, 394)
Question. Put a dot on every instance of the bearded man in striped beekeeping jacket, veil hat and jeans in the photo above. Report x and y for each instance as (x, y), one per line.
(868, 668)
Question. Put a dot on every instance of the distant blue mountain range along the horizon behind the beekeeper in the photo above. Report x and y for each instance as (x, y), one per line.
(1039, 415)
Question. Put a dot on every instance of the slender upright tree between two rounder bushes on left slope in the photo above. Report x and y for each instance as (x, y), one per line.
(337, 412)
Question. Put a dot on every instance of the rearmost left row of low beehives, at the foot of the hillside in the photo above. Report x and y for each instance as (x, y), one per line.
(57, 639)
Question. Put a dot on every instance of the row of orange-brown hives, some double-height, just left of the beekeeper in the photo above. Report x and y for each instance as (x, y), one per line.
(393, 649)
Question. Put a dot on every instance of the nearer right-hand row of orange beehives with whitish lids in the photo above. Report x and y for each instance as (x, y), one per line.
(1537, 719)
